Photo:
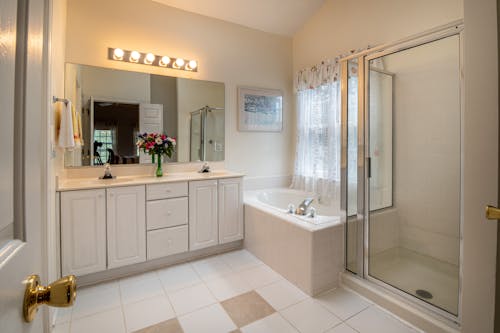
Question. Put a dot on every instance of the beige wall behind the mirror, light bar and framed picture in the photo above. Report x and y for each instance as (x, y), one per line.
(226, 53)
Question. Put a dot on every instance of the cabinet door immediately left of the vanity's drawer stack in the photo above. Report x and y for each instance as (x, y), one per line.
(126, 225)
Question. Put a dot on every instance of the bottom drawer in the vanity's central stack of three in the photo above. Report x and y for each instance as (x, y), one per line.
(164, 242)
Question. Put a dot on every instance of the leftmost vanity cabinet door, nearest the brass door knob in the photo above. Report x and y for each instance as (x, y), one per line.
(83, 232)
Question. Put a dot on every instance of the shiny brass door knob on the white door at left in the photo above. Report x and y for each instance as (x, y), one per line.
(61, 293)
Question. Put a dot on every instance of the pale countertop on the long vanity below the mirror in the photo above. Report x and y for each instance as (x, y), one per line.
(71, 184)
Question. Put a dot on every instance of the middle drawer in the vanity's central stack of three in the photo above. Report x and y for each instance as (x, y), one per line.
(167, 213)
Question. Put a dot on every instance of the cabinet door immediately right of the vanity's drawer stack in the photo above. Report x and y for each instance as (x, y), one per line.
(203, 226)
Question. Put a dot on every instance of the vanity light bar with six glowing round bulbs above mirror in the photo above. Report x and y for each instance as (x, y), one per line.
(151, 59)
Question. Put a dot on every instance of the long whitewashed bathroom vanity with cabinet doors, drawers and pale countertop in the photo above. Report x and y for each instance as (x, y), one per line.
(111, 228)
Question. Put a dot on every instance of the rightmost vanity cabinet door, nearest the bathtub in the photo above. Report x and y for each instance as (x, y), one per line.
(230, 210)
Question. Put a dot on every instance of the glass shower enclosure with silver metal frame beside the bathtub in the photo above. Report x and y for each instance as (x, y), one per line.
(402, 168)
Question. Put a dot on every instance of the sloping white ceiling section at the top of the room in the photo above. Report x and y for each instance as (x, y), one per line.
(283, 17)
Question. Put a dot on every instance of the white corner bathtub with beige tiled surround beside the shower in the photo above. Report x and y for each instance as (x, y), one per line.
(307, 251)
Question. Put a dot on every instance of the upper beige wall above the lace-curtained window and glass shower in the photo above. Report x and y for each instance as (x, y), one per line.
(344, 25)
